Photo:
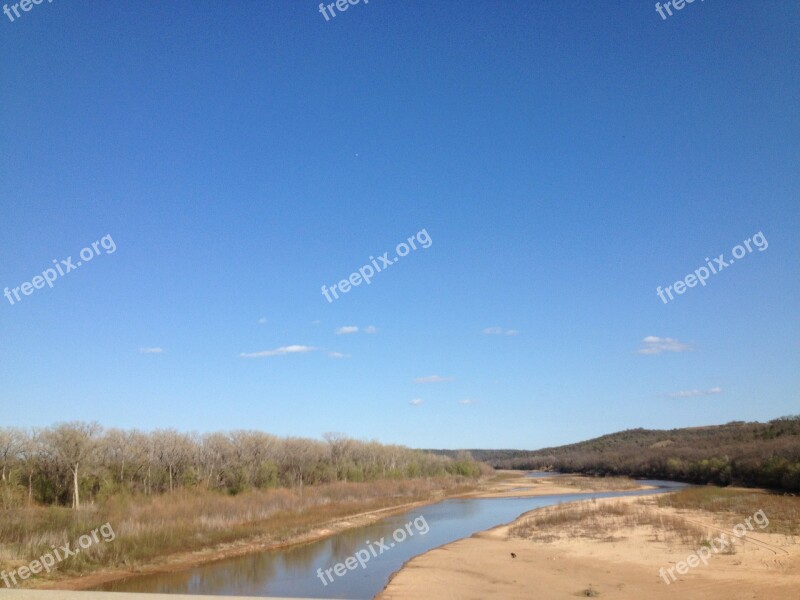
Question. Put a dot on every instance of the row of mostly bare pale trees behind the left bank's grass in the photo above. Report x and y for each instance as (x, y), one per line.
(70, 463)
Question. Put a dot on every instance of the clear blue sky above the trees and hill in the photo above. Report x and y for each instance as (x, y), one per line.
(565, 160)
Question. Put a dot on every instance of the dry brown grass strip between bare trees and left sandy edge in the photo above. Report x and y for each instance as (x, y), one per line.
(147, 528)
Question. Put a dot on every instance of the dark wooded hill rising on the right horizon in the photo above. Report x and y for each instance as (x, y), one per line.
(740, 453)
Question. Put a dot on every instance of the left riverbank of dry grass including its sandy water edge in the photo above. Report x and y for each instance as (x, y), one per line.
(169, 532)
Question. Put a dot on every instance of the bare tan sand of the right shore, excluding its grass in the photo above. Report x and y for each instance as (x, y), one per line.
(622, 563)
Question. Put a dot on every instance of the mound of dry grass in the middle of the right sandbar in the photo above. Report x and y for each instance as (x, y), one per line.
(602, 521)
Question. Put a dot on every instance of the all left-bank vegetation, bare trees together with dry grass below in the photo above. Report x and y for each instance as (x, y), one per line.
(167, 492)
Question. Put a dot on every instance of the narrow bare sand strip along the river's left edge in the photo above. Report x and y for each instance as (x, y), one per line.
(319, 525)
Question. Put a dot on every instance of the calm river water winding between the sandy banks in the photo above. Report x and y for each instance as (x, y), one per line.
(293, 572)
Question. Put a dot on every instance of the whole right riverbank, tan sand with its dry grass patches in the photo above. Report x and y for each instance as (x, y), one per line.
(615, 548)
